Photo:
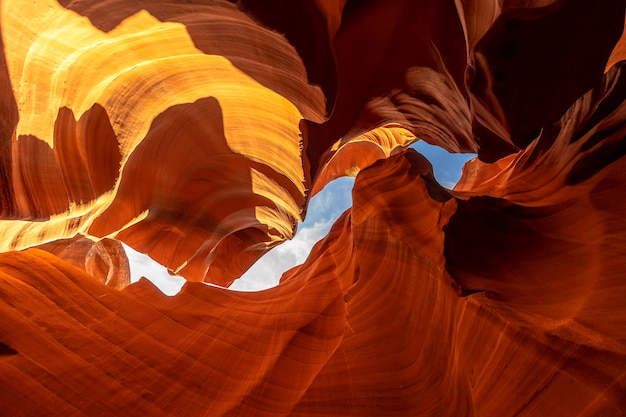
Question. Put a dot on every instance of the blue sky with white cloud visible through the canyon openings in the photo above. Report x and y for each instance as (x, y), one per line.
(323, 210)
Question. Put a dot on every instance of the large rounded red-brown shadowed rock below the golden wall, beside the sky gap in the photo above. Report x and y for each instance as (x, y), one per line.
(196, 194)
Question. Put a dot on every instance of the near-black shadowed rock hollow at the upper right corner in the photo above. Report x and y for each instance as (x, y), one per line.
(539, 47)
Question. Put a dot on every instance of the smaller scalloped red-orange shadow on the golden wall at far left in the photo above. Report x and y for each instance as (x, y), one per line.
(83, 164)
